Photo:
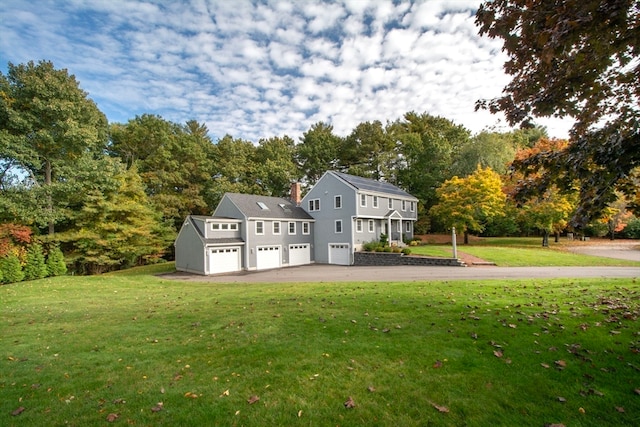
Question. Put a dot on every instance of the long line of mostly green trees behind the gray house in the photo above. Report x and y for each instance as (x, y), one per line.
(111, 196)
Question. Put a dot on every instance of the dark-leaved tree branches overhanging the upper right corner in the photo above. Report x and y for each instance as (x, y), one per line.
(575, 59)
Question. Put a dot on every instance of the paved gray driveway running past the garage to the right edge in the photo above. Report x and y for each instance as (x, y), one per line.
(337, 273)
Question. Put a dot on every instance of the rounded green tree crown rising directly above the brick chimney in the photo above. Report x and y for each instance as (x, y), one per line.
(317, 151)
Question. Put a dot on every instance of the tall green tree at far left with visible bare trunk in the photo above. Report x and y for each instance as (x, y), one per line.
(46, 121)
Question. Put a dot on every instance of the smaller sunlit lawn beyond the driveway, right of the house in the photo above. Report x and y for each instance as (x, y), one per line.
(521, 252)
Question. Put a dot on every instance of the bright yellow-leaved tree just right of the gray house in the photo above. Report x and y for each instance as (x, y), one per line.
(468, 203)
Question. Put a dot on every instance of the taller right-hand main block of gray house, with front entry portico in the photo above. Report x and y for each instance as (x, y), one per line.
(350, 211)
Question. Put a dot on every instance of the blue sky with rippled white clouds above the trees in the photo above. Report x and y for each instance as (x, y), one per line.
(262, 69)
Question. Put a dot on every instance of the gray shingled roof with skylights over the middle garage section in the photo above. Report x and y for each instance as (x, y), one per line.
(253, 206)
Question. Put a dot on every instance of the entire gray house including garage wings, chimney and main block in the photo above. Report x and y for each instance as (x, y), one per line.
(338, 215)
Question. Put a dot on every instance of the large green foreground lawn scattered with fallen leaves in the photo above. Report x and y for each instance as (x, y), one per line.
(75, 349)
